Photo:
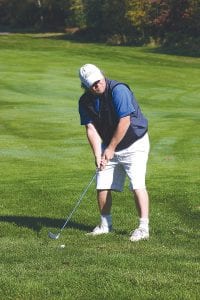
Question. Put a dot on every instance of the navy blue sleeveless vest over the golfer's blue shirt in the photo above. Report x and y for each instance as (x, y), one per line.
(106, 120)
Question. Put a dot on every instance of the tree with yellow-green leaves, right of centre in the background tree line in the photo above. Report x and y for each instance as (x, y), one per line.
(123, 21)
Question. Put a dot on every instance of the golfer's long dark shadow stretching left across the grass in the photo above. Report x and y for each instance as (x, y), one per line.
(37, 223)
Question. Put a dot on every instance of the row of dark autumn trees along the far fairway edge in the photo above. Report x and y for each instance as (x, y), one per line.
(128, 22)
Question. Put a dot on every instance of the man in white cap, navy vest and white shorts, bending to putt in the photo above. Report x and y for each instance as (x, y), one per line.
(117, 132)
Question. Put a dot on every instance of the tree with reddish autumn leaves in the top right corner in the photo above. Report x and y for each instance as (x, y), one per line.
(176, 23)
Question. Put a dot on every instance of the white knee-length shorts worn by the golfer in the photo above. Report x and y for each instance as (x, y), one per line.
(131, 161)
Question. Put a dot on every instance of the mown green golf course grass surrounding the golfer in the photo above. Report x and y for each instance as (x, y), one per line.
(46, 163)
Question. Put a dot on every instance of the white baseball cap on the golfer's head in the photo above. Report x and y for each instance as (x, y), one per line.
(89, 74)
